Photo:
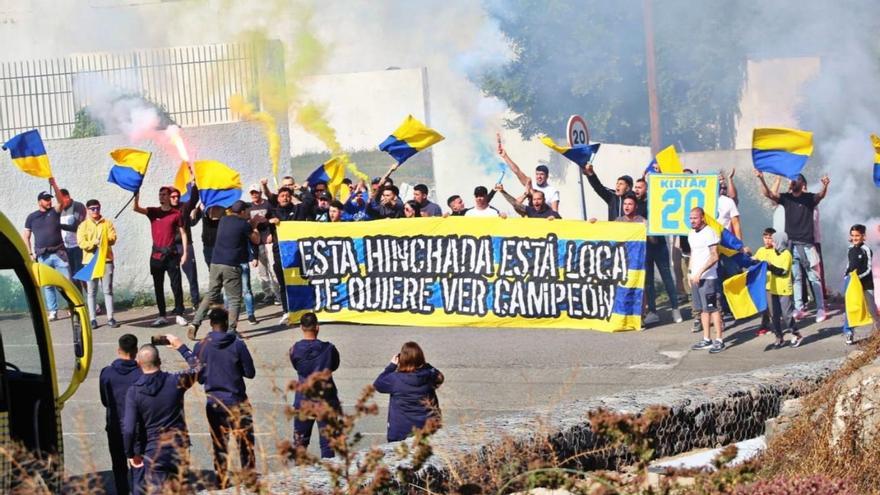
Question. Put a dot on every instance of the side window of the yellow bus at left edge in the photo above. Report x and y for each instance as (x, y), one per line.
(17, 327)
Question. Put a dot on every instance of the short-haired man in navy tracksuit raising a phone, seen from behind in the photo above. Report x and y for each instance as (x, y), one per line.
(154, 406)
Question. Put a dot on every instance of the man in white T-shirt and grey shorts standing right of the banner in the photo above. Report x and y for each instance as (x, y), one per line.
(703, 275)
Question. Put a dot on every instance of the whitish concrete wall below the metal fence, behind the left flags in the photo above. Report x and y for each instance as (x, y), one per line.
(81, 166)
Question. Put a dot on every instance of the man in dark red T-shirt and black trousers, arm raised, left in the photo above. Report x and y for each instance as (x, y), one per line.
(165, 223)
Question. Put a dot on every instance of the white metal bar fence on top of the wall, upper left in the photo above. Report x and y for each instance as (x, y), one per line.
(191, 83)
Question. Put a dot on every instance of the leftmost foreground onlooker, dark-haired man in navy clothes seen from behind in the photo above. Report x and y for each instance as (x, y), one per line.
(114, 382)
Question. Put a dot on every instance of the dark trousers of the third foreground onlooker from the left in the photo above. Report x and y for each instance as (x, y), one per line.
(237, 420)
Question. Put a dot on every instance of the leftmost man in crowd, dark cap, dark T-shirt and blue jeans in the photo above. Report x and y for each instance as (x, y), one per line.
(48, 246)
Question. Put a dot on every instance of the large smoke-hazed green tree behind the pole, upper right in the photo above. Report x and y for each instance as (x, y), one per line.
(588, 57)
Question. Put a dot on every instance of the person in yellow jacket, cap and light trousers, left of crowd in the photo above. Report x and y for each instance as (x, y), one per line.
(88, 235)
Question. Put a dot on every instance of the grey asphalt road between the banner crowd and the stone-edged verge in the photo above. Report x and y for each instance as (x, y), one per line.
(488, 371)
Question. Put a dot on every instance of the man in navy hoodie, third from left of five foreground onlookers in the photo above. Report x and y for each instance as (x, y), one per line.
(226, 362)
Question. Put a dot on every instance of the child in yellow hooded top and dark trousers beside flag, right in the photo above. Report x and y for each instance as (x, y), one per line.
(779, 288)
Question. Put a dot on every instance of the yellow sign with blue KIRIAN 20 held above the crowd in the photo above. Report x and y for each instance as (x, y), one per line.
(671, 197)
